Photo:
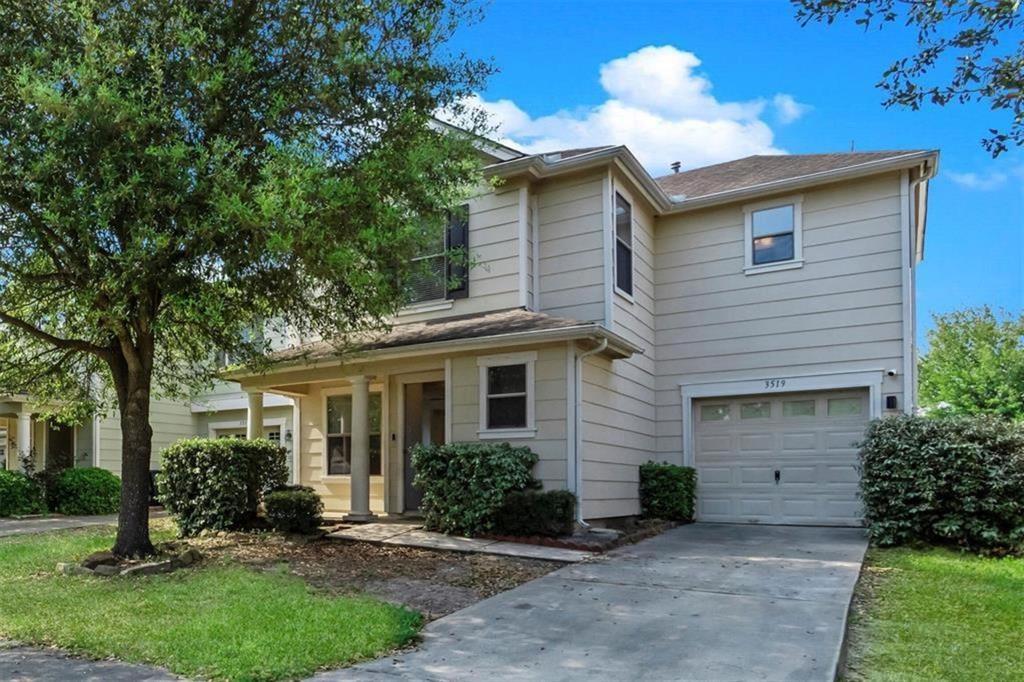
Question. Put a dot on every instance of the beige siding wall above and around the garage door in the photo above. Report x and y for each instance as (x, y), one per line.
(841, 312)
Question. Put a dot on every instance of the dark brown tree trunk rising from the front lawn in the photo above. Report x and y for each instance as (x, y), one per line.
(137, 446)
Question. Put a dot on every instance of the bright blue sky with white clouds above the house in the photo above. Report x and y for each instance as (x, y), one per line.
(762, 82)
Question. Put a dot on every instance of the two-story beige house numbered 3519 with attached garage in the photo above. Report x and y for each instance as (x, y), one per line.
(747, 319)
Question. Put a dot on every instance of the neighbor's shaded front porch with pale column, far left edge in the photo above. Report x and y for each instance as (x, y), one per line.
(25, 435)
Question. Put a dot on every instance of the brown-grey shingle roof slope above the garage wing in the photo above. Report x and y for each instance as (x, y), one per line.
(762, 169)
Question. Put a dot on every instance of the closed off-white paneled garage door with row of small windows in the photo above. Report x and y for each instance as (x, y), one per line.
(780, 459)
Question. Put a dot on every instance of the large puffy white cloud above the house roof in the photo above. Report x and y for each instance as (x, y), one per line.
(660, 107)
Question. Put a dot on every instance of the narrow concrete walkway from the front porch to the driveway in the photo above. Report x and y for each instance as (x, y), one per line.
(413, 535)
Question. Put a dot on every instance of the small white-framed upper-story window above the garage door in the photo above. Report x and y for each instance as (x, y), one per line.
(774, 235)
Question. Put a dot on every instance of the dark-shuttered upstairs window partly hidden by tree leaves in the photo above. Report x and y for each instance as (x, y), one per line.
(441, 271)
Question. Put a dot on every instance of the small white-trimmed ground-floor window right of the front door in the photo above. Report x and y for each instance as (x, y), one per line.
(507, 395)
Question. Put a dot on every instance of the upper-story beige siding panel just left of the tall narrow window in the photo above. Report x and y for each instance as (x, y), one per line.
(572, 248)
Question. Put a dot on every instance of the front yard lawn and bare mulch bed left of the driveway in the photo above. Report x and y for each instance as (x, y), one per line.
(258, 608)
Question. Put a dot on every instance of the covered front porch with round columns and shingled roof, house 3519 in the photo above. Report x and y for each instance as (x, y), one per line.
(508, 376)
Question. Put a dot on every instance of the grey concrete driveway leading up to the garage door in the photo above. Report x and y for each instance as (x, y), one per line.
(700, 603)
